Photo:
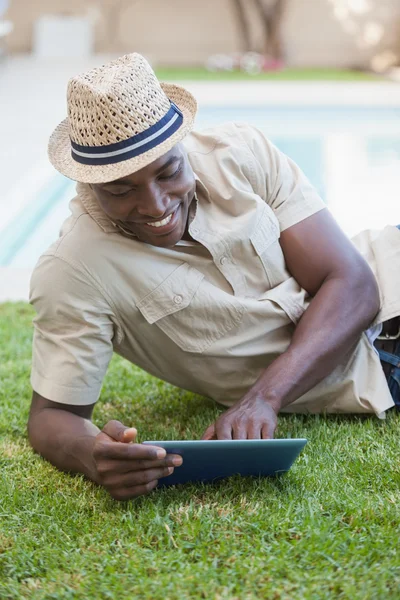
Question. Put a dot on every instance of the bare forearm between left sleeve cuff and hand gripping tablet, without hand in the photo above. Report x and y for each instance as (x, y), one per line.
(64, 439)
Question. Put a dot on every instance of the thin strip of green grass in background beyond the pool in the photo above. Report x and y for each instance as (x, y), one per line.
(201, 74)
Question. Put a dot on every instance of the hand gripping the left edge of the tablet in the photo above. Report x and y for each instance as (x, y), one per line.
(127, 470)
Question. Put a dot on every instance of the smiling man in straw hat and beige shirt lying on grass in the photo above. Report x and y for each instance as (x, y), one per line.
(208, 260)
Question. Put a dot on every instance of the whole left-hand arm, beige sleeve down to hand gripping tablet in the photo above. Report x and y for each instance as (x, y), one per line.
(72, 346)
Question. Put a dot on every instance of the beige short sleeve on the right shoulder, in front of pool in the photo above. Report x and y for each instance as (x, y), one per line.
(279, 181)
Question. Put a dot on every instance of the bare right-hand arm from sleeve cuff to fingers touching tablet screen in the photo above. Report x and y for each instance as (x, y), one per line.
(345, 301)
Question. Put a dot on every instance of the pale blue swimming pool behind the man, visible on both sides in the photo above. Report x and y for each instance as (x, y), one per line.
(350, 154)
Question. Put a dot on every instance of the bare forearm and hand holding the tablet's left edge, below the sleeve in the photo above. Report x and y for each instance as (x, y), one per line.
(66, 437)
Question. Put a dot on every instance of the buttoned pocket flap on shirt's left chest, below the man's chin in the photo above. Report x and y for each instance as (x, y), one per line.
(173, 294)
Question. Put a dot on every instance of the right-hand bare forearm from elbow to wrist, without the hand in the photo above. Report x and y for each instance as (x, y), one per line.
(328, 330)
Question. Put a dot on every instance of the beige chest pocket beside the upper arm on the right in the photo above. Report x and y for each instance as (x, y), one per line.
(265, 241)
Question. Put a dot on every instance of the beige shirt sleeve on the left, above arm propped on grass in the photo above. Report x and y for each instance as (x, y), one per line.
(73, 332)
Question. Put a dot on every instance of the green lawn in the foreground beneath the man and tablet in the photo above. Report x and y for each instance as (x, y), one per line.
(327, 529)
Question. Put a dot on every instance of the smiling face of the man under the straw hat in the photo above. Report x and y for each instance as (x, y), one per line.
(152, 203)
